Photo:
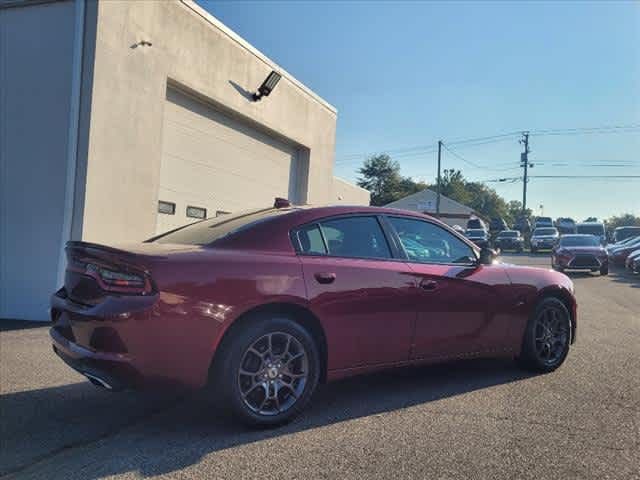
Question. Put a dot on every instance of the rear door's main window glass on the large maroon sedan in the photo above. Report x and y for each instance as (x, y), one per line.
(355, 237)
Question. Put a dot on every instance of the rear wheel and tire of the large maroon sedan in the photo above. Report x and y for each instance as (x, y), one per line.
(284, 380)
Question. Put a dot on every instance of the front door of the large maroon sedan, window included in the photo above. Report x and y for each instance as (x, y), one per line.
(458, 307)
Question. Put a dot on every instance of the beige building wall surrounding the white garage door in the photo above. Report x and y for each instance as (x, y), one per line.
(190, 49)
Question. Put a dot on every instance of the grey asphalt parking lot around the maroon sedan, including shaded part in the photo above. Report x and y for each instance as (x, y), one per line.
(473, 419)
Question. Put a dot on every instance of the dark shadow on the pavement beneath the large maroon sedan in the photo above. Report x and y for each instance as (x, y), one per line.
(171, 435)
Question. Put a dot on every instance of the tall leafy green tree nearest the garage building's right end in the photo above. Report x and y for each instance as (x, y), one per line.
(381, 176)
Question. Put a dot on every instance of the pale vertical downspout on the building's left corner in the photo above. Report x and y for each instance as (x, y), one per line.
(72, 140)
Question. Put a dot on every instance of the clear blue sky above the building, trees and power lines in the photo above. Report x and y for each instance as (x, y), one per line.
(403, 75)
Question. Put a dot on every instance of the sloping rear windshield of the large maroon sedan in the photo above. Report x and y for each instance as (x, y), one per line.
(212, 229)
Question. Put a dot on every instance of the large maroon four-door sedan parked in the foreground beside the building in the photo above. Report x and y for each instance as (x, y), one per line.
(263, 305)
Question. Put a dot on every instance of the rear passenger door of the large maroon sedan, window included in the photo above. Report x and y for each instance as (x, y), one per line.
(359, 291)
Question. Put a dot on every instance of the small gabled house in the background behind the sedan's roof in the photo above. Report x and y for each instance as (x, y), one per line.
(451, 212)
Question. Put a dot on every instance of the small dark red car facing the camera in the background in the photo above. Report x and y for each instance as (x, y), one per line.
(580, 252)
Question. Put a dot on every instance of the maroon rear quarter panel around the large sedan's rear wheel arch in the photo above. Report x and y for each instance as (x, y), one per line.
(200, 300)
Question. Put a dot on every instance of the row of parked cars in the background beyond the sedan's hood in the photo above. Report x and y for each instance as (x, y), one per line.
(573, 246)
